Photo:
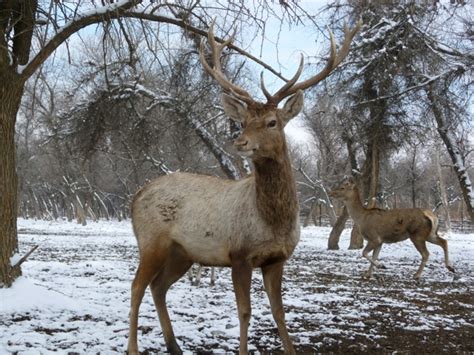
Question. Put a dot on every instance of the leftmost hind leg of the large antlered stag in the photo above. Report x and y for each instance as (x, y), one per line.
(147, 269)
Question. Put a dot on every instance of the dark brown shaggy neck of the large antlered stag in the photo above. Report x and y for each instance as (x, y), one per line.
(277, 201)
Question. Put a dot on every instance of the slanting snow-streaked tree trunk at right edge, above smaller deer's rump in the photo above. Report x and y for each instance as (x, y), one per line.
(453, 150)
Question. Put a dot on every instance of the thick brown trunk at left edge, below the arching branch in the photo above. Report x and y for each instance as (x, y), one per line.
(11, 89)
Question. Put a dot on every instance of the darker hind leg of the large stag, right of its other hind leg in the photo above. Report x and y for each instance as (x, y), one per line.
(174, 268)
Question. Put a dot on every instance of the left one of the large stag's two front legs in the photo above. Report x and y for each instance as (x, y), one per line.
(241, 278)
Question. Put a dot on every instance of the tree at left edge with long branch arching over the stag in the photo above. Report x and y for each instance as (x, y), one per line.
(30, 32)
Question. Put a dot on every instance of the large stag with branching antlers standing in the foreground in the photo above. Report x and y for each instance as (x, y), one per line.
(184, 218)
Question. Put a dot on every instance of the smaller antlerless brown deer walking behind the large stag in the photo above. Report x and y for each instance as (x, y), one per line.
(379, 226)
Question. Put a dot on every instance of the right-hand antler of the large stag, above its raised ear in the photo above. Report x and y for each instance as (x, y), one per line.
(335, 58)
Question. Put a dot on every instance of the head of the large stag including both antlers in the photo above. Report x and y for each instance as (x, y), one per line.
(263, 122)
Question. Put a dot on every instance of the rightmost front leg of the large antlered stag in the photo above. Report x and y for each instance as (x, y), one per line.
(272, 276)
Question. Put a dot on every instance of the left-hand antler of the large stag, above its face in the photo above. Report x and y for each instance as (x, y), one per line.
(216, 70)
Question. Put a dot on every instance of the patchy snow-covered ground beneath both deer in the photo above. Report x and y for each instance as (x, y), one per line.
(74, 298)
